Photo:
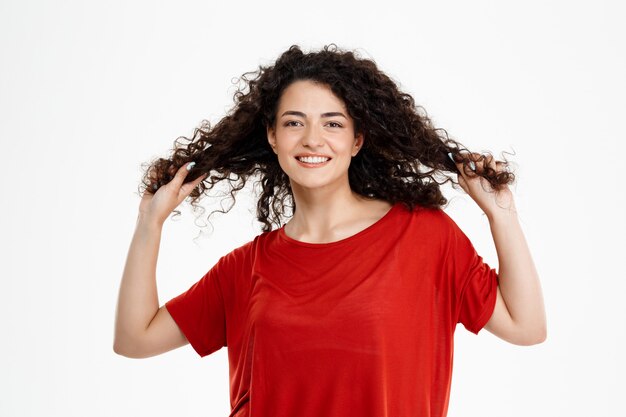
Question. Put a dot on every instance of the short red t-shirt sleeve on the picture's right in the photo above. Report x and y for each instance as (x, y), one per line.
(474, 282)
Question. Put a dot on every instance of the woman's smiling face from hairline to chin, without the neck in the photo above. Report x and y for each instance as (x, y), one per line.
(311, 120)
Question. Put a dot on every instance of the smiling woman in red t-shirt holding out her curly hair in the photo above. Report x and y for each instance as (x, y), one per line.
(351, 306)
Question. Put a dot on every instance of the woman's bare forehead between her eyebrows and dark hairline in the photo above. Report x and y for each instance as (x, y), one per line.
(309, 94)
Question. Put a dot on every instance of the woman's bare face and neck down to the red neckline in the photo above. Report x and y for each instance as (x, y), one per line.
(311, 119)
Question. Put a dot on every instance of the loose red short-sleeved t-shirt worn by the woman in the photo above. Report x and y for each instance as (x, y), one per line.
(358, 327)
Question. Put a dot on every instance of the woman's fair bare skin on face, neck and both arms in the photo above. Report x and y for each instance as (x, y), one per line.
(327, 211)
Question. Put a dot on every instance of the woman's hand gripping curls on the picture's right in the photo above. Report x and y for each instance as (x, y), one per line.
(490, 201)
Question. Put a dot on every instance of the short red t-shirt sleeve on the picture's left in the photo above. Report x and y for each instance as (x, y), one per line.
(200, 314)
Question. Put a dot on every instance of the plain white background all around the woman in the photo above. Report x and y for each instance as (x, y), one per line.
(89, 91)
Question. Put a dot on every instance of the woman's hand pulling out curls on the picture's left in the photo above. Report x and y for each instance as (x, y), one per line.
(156, 207)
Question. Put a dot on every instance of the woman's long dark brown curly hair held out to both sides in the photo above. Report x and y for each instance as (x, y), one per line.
(401, 159)
